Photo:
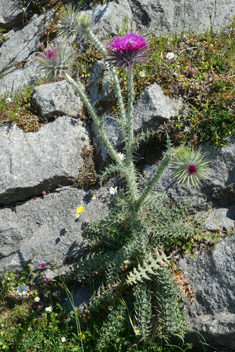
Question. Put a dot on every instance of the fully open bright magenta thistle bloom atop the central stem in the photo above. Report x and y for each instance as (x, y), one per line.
(131, 49)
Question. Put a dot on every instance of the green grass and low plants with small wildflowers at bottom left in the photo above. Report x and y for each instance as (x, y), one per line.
(26, 326)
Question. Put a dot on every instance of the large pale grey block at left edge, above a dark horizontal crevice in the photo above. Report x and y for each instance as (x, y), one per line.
(39, 161)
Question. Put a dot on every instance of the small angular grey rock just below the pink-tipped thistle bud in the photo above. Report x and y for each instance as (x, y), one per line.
(57, 99)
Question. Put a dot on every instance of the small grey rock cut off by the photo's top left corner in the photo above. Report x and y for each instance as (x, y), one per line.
(11, 13)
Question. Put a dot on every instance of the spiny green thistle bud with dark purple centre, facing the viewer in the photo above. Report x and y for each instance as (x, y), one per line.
(190, 166)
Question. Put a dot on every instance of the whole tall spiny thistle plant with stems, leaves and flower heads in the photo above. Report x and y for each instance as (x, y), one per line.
(128, 240)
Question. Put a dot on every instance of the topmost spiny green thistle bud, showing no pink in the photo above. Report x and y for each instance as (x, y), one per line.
(70, 21)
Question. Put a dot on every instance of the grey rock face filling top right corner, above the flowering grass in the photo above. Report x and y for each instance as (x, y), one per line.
(164, 16)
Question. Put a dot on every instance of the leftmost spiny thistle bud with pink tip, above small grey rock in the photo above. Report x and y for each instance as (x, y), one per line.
(55, 61)
